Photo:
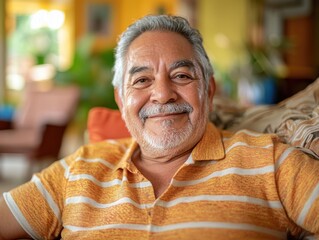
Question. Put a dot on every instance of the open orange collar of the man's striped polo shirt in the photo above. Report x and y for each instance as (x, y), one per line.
(210, 147)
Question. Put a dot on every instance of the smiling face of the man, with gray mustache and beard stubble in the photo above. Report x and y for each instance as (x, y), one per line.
(164, 102)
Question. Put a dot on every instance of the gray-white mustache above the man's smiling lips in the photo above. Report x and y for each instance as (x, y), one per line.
(168, 108)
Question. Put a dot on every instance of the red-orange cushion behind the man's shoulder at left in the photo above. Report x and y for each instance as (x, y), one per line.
(104, 123)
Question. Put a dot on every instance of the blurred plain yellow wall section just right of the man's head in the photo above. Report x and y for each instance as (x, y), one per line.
(224, 28)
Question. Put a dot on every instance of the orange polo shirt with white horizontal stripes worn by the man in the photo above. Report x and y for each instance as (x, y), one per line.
(232, 186)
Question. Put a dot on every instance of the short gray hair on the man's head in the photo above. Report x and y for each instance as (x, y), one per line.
(162, 23)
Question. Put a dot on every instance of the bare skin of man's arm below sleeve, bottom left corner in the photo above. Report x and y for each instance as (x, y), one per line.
(9, 226)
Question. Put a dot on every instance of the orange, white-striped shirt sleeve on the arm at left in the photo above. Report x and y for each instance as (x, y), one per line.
(38, 204)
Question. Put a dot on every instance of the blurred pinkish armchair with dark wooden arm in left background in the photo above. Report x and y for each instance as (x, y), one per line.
(39, 125)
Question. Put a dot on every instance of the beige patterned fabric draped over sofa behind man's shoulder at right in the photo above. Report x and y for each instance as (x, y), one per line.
(295, 120)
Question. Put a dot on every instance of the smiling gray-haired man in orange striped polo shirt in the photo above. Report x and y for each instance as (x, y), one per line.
(178, 177)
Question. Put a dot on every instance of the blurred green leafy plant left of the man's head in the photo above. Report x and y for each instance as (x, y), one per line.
(92, 72)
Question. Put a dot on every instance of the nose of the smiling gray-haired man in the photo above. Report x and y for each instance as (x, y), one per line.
(163, 91)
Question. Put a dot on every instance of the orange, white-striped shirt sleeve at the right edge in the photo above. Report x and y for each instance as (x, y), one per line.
(297, 177)
